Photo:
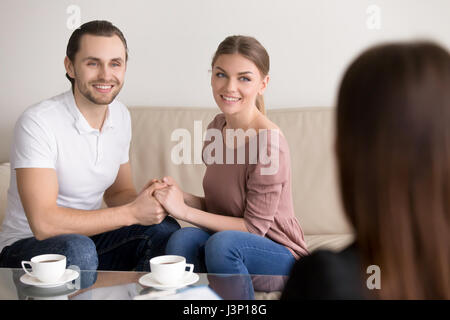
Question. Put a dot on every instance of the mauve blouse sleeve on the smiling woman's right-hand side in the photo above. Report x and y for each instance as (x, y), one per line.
(265, 182)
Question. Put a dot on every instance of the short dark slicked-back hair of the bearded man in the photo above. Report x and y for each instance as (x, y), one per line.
(96, 28)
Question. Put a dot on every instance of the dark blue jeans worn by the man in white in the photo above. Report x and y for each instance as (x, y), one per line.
(127, 248)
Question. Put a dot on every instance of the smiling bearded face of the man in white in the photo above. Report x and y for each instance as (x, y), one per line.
(98, 68)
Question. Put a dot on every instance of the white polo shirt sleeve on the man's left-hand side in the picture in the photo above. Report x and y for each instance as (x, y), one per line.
(33, 145)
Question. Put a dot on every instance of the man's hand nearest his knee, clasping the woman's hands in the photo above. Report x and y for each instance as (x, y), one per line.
(145, 209)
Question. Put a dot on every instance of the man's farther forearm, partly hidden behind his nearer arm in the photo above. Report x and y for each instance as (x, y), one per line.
(122, 191)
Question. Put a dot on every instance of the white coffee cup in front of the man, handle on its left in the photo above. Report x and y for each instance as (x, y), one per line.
(47, 268)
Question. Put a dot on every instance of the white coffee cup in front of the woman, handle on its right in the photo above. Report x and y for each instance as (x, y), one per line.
(169, 269)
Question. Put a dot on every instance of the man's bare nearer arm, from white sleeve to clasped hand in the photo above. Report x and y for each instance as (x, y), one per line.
(38, 190)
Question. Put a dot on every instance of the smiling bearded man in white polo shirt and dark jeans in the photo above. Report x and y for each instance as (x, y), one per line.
(69, 153)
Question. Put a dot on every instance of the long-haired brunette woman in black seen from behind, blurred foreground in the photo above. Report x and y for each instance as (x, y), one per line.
(393, 154)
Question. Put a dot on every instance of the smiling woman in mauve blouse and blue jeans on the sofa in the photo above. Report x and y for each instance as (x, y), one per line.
(246, 219)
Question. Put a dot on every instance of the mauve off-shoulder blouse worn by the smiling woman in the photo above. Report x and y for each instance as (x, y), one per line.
(240, 189)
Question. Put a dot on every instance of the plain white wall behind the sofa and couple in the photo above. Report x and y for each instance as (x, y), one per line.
(172, 41)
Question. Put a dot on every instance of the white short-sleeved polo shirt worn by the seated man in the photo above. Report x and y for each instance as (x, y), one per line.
(54, 134)
